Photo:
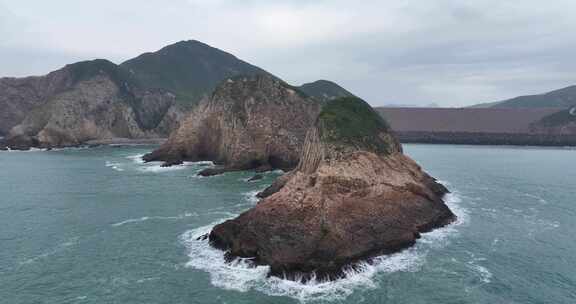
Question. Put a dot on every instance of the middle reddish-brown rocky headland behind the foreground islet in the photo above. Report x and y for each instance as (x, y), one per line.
(248, 122)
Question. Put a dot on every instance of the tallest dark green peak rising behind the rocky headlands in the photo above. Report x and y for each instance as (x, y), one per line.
(189, 69)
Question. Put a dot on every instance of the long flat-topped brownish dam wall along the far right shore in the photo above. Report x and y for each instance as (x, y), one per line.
(537, 126)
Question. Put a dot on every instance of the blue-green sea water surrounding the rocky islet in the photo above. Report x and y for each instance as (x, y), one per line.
(99, 226)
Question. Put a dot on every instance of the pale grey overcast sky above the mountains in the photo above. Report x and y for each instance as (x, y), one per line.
(448, 52)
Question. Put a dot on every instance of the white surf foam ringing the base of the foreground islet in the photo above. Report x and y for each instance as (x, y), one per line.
(239, 276)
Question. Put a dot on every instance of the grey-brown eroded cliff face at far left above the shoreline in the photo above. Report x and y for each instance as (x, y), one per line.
(98, 101)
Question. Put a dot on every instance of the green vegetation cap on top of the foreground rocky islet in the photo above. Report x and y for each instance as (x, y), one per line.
(351, 121)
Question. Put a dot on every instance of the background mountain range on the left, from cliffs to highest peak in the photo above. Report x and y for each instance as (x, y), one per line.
(155, 89)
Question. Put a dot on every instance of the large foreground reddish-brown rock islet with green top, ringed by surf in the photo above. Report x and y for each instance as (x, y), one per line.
(353, 195)
